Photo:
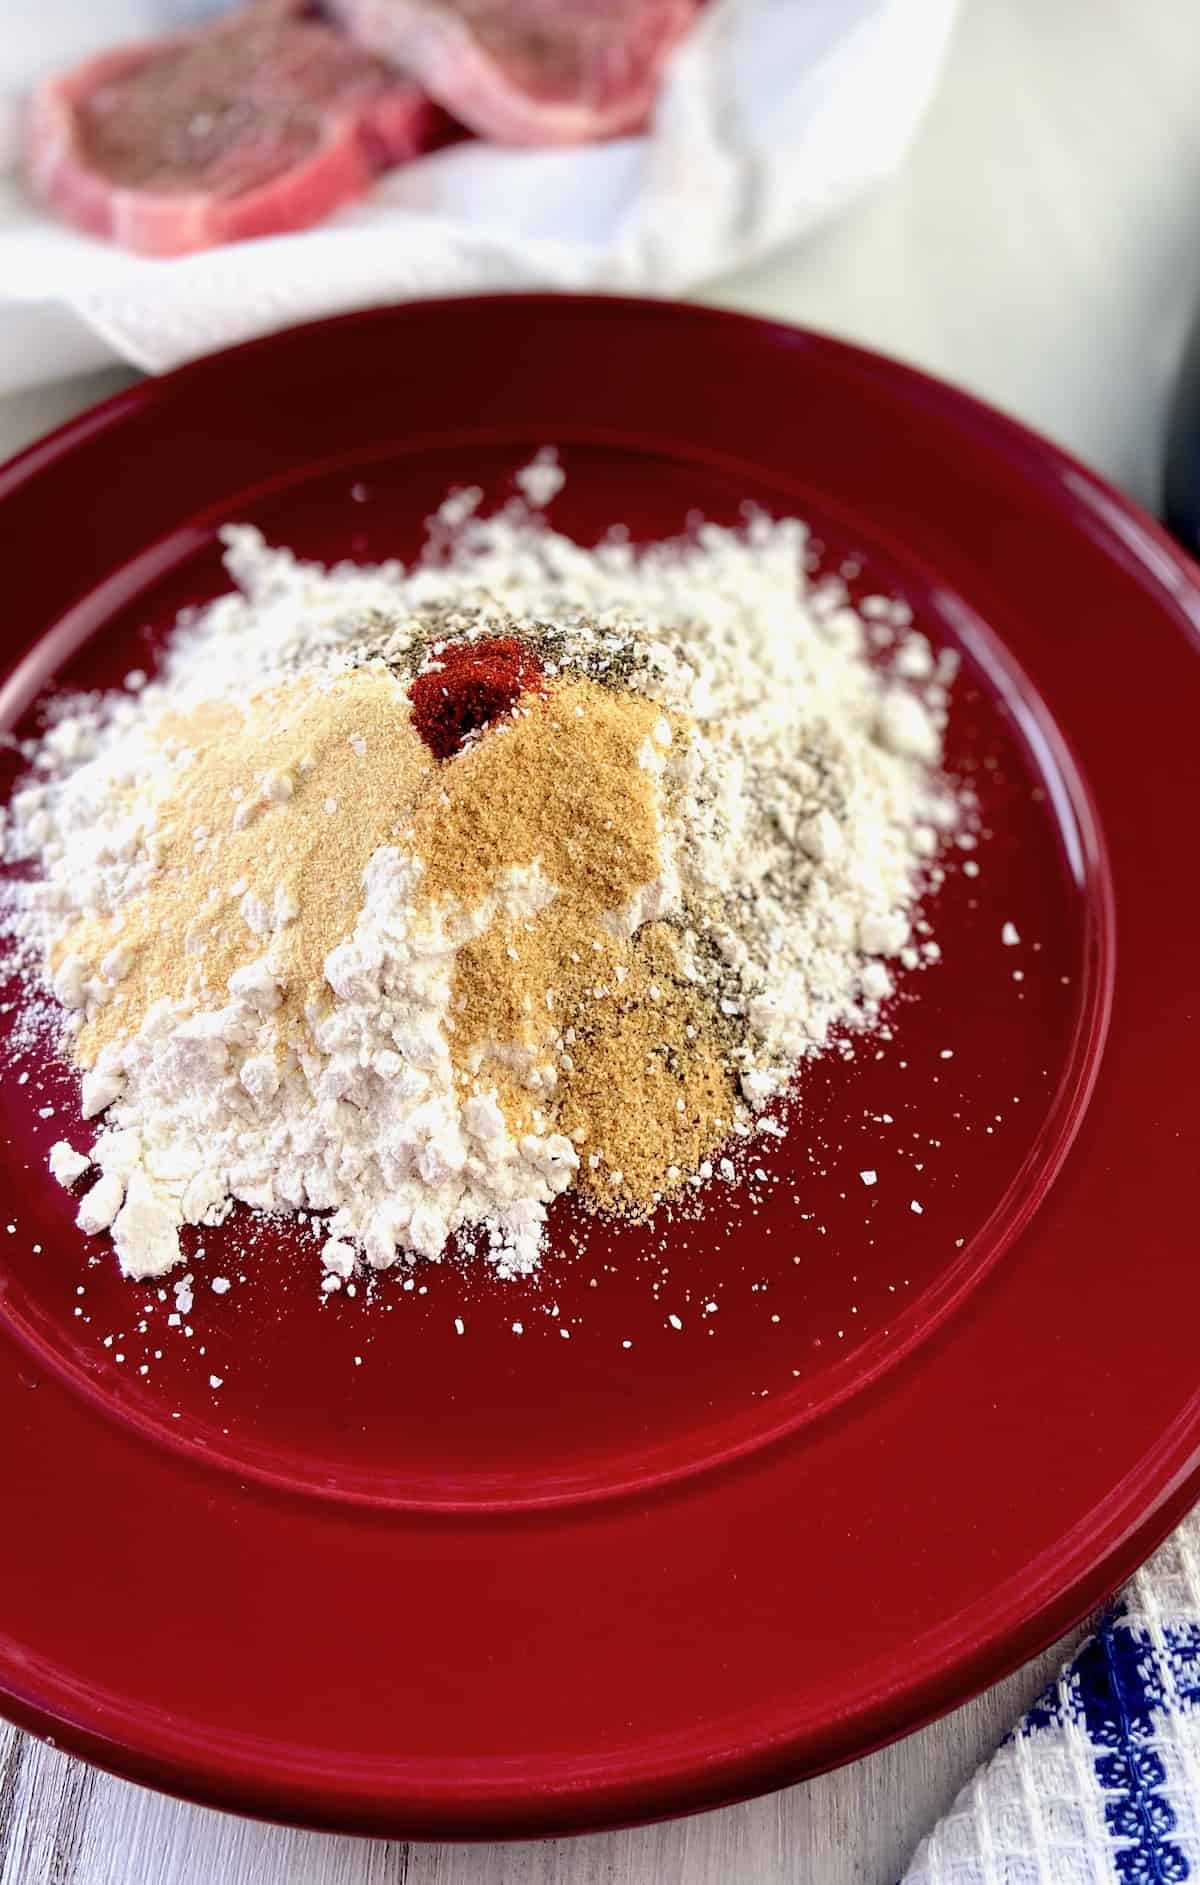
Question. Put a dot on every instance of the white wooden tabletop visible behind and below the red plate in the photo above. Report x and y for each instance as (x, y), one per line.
(1043, 248)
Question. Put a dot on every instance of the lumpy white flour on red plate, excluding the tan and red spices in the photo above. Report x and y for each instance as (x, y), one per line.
(800, 817)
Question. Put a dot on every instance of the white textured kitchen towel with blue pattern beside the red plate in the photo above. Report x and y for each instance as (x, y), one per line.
(1101, 1782)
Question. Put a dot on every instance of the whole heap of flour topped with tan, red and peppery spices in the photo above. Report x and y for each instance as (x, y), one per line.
(412, 898)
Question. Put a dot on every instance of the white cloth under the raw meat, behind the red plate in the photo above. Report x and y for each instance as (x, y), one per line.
(775, 114)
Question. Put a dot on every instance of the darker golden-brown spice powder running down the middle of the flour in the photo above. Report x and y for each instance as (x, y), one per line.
(559, 1015)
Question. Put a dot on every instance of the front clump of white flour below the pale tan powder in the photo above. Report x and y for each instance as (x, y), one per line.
(366, 1128)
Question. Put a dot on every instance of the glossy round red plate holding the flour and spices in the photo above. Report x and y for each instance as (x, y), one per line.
(502, 1584)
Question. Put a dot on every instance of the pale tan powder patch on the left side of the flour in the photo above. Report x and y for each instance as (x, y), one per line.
(284, 796)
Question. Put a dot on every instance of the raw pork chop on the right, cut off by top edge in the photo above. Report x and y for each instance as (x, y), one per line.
(528, 71)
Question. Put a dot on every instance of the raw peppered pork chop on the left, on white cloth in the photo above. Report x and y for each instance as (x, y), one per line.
(265, 122)
